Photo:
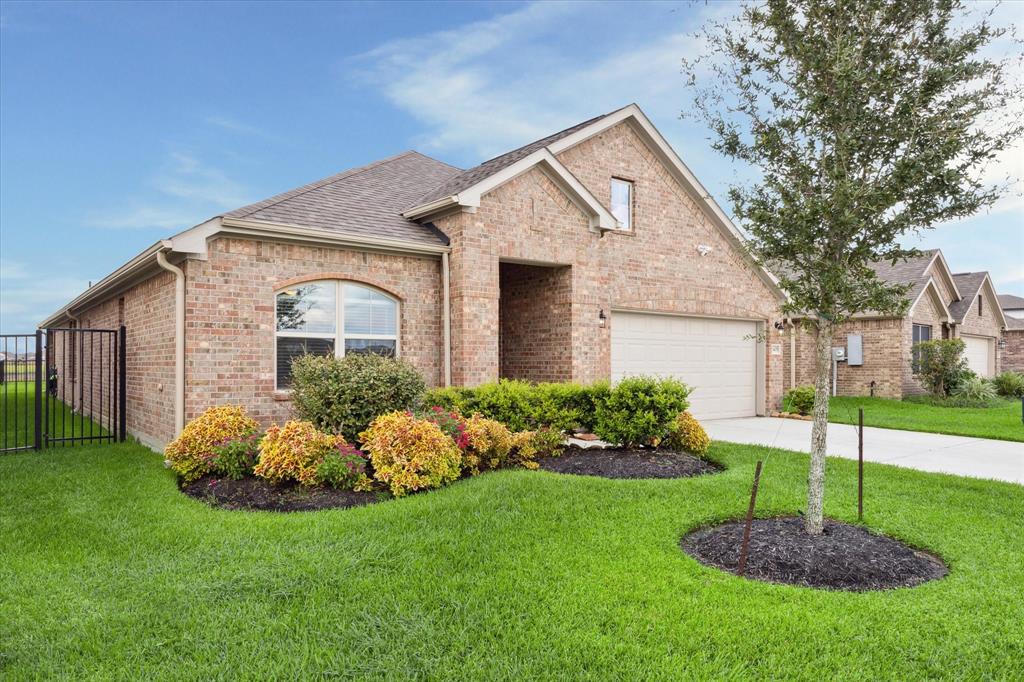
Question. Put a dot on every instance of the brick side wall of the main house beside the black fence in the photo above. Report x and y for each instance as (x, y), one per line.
(149, 319)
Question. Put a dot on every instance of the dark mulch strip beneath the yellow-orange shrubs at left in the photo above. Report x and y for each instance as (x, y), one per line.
(260, 494)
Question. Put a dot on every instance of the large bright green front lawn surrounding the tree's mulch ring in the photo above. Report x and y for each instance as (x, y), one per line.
(108, 572)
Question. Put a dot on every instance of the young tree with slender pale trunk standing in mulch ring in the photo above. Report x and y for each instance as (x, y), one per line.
(867, 120)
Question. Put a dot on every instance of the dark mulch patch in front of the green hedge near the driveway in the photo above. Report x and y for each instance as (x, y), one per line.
(621, 463)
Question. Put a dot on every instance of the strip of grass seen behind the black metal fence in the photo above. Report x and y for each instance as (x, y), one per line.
(18, 413)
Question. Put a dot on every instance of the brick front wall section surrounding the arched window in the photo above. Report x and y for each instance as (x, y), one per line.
(230, 316)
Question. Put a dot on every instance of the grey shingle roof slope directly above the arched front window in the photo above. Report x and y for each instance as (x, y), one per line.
(363, 202)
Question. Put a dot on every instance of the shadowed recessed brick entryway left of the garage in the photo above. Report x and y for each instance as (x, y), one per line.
(535, 343)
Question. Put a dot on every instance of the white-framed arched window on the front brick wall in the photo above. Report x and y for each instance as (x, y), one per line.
(333, 319)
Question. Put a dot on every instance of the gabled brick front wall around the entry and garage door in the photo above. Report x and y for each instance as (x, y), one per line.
(655, 268)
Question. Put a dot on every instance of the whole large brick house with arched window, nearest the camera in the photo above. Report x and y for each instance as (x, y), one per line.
(591, 254)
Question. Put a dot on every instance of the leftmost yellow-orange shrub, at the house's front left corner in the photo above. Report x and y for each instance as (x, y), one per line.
(192, 455)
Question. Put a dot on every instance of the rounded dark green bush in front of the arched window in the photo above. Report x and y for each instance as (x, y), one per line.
(344, 396)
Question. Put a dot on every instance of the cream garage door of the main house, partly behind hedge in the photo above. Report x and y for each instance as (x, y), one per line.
(716, 358)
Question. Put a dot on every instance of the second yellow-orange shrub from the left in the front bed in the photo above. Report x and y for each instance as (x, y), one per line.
(293, 452)
